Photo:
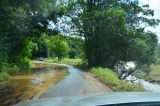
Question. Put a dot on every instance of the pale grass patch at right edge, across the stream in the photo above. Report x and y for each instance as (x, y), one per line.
(155, 73)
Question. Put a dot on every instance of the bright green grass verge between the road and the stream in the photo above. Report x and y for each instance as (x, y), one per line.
(110, 78)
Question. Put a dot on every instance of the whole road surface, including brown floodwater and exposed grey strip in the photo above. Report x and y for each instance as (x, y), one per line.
(48, 80)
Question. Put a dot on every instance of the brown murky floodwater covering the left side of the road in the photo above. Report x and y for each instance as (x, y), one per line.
(30, 84)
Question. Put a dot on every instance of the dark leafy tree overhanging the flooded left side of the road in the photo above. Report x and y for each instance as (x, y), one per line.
(20, 21)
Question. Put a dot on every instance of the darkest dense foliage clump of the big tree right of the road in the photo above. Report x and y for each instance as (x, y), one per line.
(109, 25)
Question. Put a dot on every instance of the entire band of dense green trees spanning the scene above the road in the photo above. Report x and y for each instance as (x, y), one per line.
(101, 32)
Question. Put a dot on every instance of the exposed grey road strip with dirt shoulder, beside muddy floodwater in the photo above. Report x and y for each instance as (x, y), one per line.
(75, 84)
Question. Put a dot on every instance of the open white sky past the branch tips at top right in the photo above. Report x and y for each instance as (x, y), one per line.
(155, 5)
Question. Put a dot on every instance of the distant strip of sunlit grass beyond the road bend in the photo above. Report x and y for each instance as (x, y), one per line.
(74, 62)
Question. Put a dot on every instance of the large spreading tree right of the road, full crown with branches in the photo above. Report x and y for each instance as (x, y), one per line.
(110, 28)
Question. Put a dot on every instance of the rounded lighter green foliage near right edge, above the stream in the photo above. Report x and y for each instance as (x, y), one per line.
(143, 48)
